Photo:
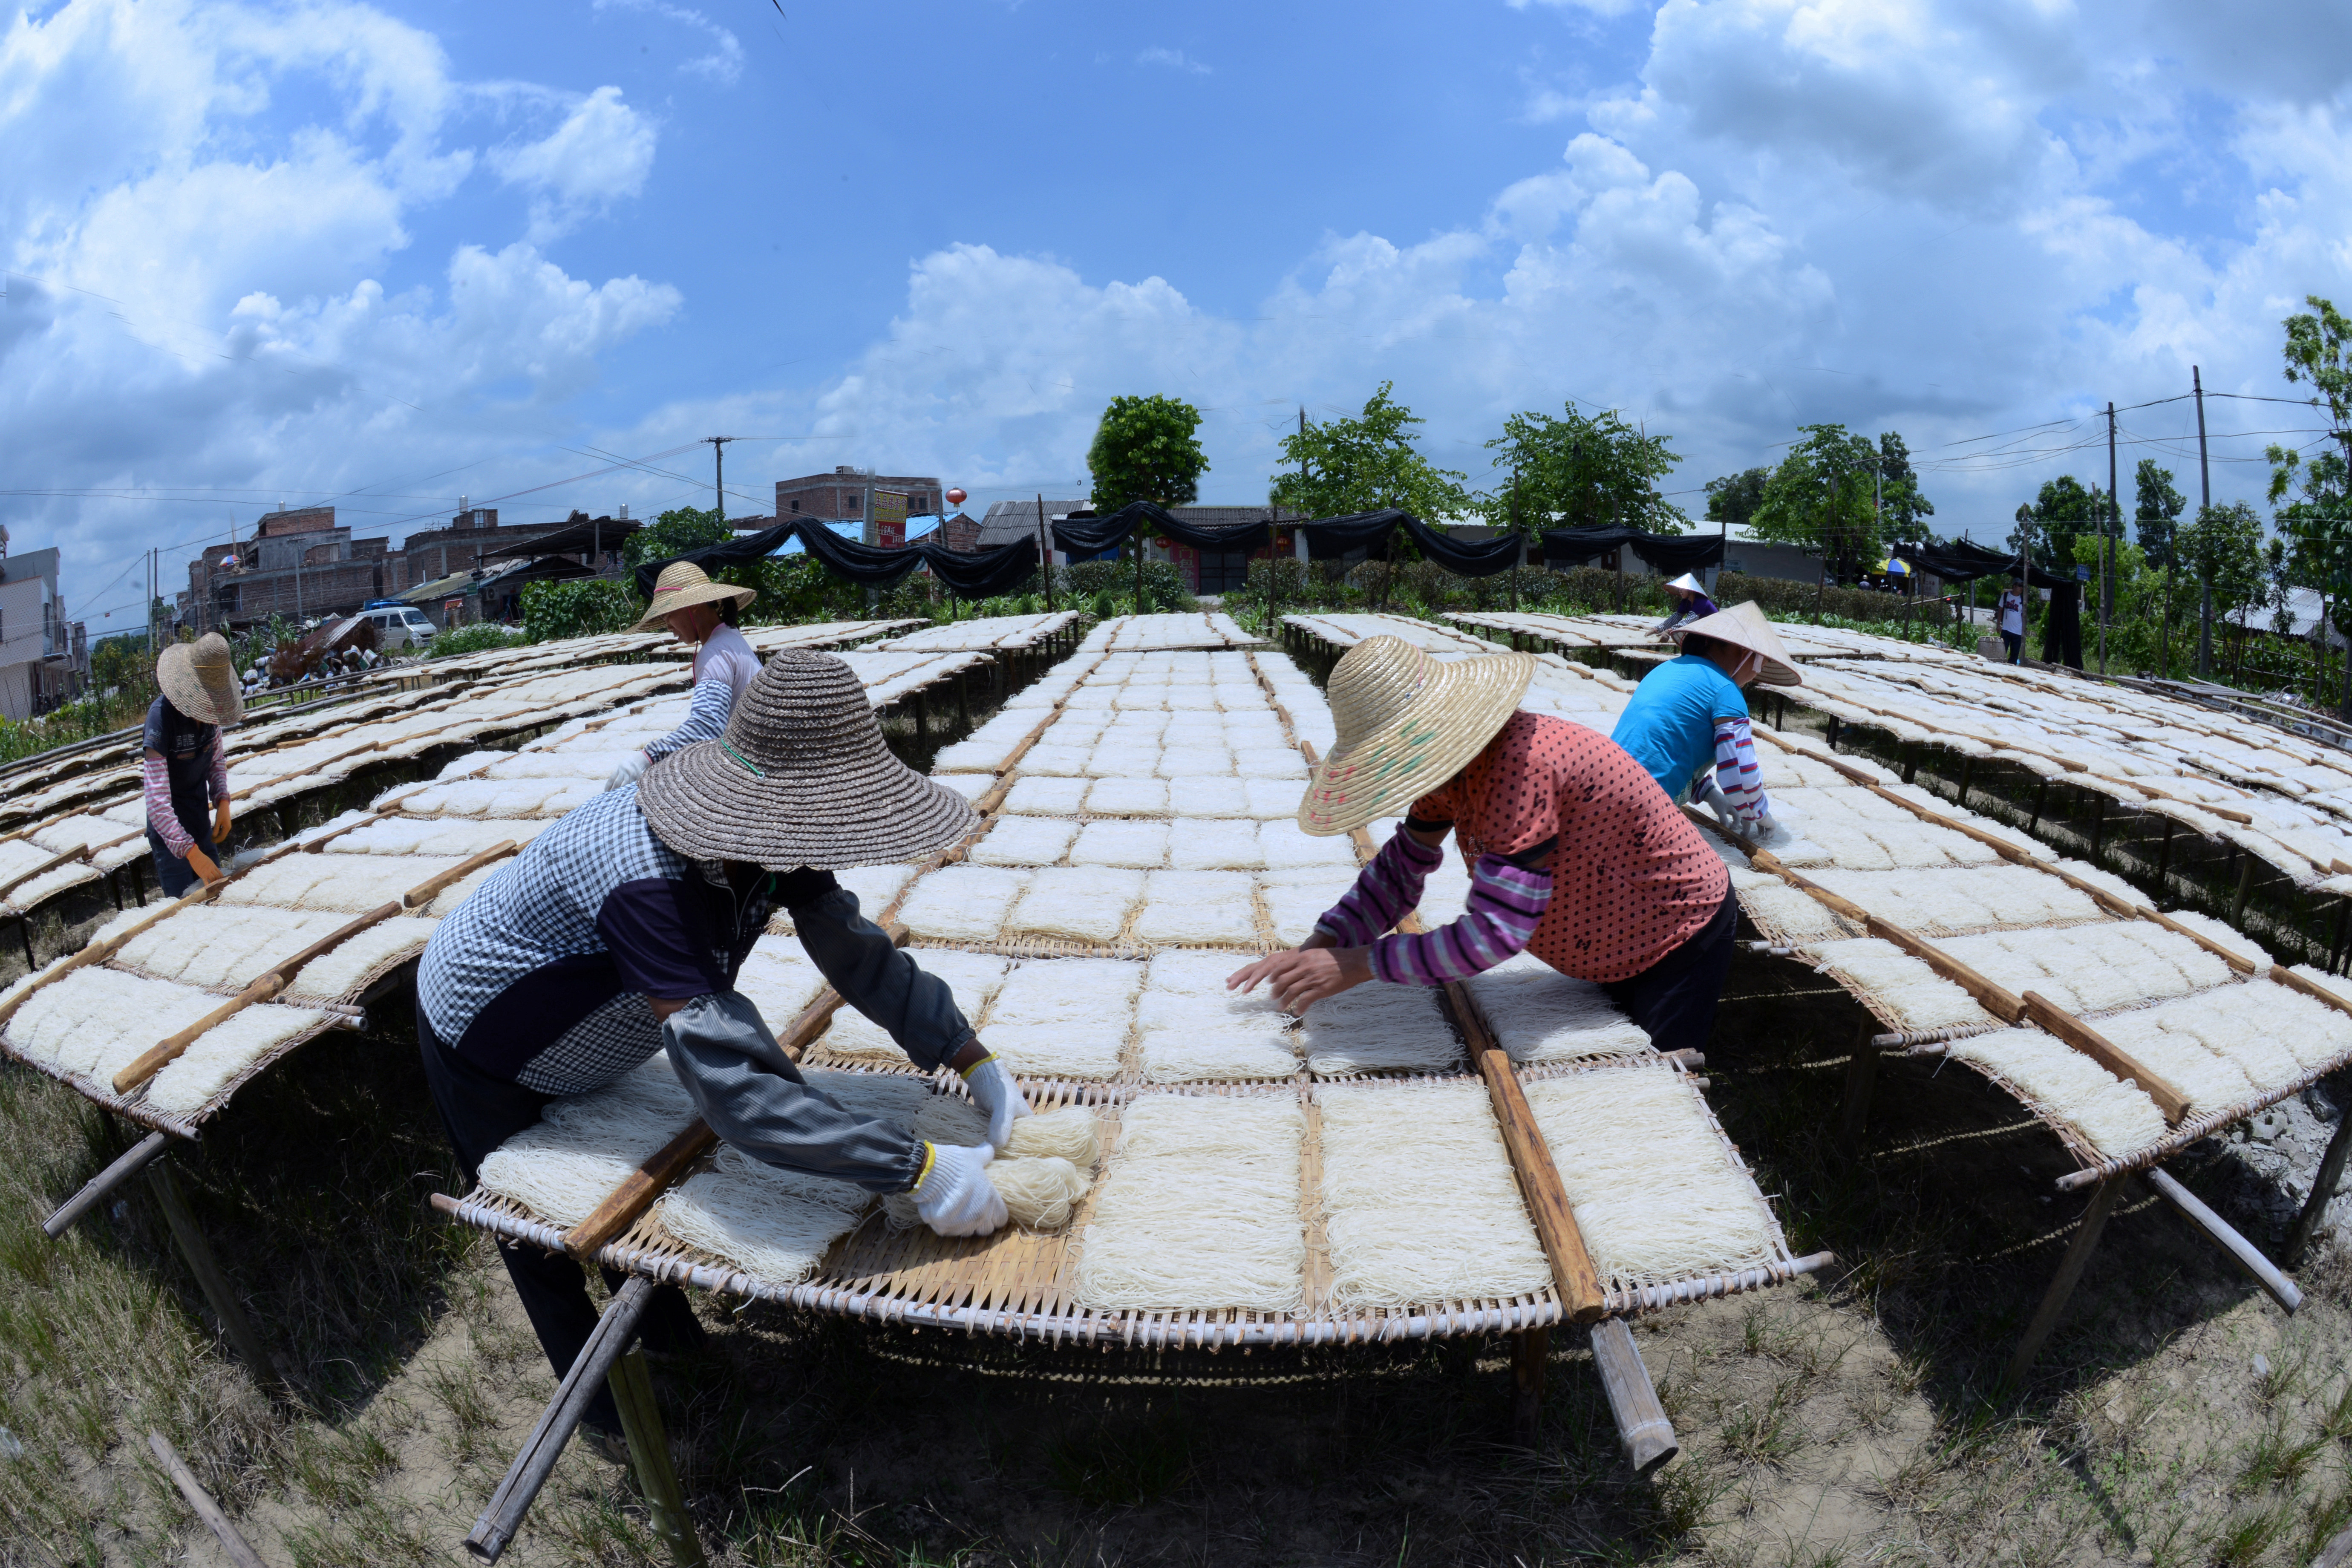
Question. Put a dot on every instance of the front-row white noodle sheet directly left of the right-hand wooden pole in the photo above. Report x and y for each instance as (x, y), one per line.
(1419, 1200)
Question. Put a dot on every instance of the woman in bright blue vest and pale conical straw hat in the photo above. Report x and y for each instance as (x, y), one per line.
(1688, 721)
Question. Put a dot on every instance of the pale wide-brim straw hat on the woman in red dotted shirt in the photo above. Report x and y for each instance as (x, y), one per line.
(1405, 725)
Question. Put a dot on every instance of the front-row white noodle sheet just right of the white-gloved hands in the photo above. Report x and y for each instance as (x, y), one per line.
(1198, 1209)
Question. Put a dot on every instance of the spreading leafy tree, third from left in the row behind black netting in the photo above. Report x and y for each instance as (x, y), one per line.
(1582, 471)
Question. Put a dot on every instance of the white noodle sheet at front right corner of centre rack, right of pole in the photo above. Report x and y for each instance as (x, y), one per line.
(1657, 1193)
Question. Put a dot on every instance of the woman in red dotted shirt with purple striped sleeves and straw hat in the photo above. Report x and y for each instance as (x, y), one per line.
(1575, 855)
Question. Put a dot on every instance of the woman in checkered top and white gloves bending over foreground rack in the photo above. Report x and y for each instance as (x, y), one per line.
(620, 932)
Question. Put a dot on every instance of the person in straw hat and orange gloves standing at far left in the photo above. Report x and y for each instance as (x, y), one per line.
(185, 763)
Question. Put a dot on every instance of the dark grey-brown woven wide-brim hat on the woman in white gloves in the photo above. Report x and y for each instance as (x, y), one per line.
(801, 777)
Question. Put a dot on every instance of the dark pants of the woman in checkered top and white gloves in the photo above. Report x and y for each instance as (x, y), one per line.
(481, 1113)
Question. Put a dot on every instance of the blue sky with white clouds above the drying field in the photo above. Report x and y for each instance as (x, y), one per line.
(389, 255)
